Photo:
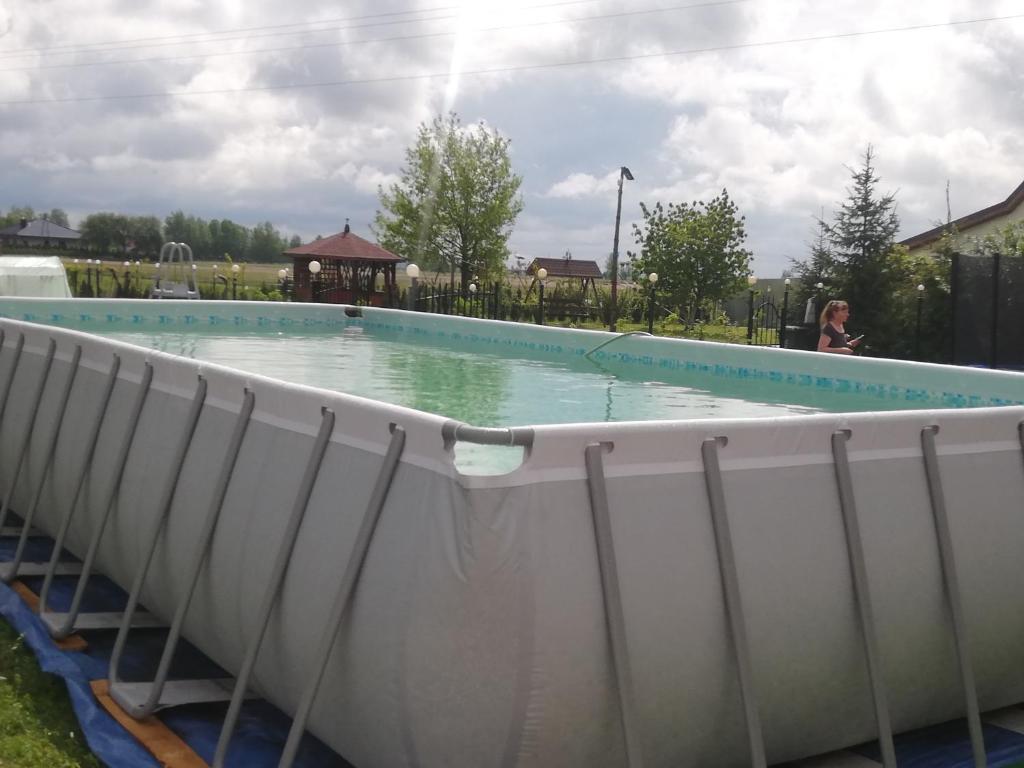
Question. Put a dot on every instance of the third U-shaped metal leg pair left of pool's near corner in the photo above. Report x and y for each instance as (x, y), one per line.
(62, 625)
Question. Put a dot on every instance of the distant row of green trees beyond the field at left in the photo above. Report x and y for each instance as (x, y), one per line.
(143, 237)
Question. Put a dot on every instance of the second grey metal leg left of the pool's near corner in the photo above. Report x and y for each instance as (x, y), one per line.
(278, 572)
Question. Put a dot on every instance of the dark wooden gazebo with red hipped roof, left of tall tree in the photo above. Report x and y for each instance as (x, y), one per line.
(350, 267)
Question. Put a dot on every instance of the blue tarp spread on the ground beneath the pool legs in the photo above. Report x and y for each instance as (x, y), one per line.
(263, 730)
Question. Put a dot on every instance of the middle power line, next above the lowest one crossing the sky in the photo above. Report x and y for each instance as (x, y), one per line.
(400, 38)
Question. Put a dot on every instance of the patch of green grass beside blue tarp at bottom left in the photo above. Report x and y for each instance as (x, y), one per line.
(38, 729)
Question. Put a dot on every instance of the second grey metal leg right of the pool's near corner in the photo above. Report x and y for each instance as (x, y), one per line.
(734, 605)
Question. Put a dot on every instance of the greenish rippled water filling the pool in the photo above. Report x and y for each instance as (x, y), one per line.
(488, 390)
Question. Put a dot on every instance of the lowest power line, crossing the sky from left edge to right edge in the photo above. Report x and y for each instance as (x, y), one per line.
(520, 68)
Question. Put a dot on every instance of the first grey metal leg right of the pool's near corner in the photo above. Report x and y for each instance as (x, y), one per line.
(615, 617)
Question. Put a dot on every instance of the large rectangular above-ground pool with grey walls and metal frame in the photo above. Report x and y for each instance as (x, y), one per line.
(662, 580)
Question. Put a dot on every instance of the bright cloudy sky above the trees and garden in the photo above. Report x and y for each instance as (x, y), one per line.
(296, 113)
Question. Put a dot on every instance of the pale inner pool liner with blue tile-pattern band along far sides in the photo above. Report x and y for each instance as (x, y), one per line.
(919, 386)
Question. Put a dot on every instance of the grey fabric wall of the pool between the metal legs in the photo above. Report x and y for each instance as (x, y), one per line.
(478, 633)
